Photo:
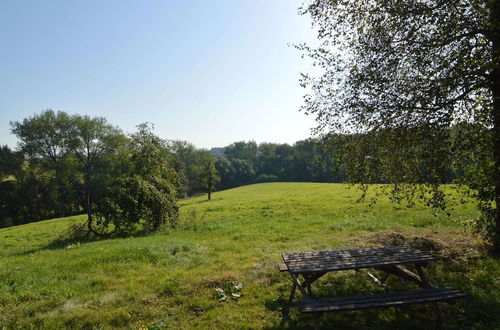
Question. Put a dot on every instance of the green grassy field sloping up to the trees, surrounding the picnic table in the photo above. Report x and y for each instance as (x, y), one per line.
(169, 279)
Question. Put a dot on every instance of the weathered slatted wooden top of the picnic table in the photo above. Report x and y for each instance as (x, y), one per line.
(335, 260)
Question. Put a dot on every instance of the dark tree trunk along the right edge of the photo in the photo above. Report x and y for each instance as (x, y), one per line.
(496, 117)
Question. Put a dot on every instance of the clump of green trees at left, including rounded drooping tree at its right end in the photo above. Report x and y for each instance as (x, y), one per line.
(70, 164)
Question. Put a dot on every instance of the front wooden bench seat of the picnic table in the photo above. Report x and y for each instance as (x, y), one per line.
(380, 300)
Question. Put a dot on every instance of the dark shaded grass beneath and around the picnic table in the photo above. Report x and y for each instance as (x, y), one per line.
(478, 278)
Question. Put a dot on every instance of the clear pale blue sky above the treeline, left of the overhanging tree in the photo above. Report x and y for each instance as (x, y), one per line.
(209, 72)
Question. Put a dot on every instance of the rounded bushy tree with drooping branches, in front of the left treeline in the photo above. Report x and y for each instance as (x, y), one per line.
(145, 196)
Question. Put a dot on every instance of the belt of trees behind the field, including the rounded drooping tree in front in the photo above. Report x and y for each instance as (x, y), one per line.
(71, 164)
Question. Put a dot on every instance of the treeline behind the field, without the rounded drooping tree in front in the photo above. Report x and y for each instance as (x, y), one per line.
(65, 163)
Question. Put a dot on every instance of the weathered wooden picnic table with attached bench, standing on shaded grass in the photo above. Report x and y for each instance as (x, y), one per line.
(307, 267)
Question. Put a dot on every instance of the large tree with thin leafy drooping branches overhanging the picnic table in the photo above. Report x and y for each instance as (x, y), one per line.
(400, 78)
